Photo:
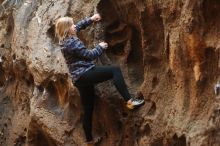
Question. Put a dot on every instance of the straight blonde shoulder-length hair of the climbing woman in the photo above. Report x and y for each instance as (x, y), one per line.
(62, 27)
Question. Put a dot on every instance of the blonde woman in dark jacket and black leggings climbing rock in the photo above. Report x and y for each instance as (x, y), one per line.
(85, 74)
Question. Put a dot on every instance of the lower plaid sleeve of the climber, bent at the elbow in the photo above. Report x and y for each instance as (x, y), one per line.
(81, 50)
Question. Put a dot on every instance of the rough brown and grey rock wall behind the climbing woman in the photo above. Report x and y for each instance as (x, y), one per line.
(169, 52)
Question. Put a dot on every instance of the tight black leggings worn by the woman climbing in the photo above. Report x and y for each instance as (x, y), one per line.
(86, 84)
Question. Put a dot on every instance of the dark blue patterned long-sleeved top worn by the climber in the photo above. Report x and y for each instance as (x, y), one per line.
(79, 59)
